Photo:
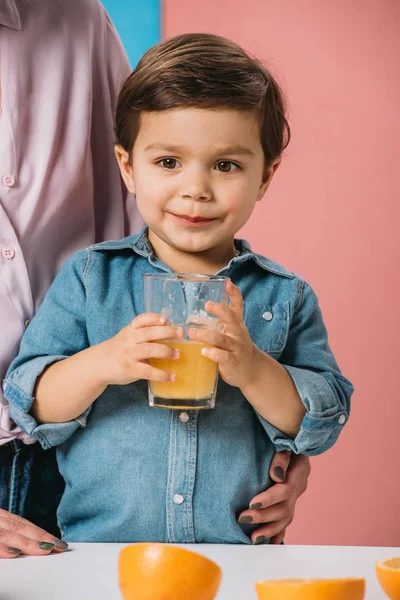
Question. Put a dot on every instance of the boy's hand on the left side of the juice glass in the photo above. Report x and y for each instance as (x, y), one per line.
(126, 355)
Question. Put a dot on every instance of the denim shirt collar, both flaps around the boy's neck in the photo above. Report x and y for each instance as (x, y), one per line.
(140, 244)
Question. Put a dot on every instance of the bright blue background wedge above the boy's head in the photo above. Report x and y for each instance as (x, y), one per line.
(138, 23)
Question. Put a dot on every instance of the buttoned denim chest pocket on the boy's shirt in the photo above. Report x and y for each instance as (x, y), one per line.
(268, 325)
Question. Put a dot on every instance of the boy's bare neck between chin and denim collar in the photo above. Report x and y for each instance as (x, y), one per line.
(208, 262)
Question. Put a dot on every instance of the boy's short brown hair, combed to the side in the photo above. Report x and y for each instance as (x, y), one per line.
(203, 71)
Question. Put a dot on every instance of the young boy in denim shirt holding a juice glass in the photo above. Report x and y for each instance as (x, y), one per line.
(201, 130)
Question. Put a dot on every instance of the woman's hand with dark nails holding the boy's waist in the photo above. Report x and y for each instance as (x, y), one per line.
(274, 509)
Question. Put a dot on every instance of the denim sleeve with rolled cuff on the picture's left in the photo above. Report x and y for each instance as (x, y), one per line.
(57, 331)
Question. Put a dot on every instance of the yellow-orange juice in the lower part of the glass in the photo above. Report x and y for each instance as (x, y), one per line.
(196, 377)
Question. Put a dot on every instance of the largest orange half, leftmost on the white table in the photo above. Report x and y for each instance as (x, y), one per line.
(150, 571)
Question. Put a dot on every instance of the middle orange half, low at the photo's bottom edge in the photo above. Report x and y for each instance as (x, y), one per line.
(311, 589)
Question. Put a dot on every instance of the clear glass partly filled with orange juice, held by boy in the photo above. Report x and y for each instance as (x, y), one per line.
(181, 297)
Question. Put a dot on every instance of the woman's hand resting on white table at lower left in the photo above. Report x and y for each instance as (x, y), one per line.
(19, 536)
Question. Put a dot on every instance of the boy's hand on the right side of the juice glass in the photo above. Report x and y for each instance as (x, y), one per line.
(233, 349)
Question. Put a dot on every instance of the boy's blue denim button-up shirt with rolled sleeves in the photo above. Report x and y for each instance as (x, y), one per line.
(135, 473)
